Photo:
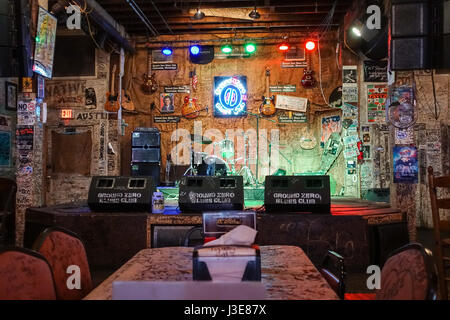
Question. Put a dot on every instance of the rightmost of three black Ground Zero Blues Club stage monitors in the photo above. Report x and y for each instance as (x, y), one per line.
(297, 194)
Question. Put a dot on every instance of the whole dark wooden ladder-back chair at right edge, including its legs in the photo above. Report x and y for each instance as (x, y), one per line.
(440, 226)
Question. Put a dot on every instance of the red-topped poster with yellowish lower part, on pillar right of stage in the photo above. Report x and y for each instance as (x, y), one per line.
(376, 103)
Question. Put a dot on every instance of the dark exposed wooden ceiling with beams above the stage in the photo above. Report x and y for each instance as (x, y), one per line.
(224, 16)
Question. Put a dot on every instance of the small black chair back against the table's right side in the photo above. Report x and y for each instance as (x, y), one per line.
(333, 270)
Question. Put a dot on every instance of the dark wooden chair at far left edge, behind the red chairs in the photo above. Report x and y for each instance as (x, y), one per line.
(8, 190)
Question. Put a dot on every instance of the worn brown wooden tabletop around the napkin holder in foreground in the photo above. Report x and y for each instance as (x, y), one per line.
(286, 271)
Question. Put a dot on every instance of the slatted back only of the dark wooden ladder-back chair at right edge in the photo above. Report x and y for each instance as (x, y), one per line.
(437, 204)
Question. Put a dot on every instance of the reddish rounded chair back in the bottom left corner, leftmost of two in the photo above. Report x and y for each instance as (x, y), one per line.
(25, 275)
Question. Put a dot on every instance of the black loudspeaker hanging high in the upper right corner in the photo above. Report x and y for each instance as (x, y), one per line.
(410, 35)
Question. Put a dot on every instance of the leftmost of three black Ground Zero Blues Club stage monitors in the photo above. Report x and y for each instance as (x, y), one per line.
(121, 193)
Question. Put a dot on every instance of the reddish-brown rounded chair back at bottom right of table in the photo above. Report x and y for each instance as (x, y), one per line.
(409, 274)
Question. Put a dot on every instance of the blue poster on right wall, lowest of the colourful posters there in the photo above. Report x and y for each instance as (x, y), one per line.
(405, 164)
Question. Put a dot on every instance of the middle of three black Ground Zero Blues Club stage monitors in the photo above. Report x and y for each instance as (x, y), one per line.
(207, 193)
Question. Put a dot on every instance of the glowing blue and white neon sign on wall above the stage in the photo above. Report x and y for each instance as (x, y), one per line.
(230, 96)
